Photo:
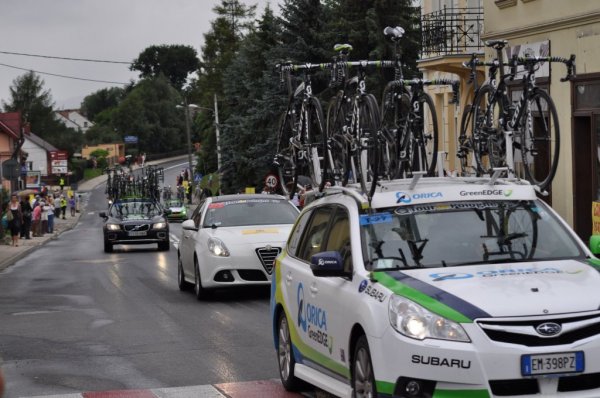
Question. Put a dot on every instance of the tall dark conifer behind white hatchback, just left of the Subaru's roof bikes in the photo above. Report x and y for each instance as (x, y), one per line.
(247, 139)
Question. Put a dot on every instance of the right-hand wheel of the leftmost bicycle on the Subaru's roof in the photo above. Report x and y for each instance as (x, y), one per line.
(316, 143)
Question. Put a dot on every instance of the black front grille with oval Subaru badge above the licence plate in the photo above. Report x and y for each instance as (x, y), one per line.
(523, 332)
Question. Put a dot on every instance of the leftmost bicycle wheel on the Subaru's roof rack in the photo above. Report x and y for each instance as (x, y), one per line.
(285, 158)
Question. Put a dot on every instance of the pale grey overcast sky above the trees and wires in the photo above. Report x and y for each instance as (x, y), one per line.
(112, 30)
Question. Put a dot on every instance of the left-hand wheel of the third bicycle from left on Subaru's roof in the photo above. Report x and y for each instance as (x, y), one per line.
(395, 109)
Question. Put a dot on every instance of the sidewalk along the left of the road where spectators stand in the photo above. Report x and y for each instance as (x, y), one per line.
(10, 254)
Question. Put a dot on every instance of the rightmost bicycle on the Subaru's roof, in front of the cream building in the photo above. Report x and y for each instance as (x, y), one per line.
(525, 136)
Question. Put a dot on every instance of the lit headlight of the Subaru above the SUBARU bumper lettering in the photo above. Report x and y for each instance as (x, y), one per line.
(414, 321)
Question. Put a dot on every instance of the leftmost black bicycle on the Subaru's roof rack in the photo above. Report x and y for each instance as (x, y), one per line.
(301, 139)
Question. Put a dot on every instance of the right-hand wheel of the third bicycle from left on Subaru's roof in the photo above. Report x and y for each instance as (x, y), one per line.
(422, 144)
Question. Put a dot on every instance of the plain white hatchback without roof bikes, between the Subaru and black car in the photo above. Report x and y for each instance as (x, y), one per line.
(233, 240)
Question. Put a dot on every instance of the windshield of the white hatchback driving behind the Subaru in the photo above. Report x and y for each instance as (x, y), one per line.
(250, 212)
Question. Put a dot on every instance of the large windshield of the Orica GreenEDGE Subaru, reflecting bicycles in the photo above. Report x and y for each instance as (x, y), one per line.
(464, 233)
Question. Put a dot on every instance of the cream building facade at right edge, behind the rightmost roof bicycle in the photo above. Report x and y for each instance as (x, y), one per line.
(565, 27)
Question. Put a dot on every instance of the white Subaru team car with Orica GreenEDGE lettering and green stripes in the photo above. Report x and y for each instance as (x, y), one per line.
(440, 287)
